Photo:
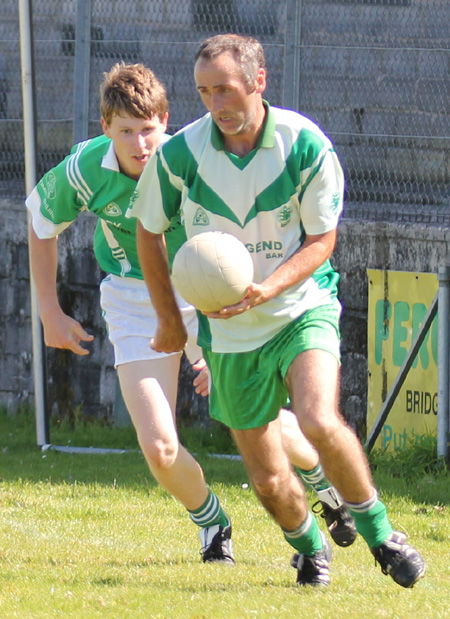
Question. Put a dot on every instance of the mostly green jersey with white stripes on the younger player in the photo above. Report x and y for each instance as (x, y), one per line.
(90, 179)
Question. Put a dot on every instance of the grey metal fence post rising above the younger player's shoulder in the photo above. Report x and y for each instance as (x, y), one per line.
(82, 71)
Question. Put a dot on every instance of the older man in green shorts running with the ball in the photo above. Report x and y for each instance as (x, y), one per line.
(267, 175)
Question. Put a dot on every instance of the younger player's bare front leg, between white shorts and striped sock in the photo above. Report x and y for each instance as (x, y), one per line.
(149, 390)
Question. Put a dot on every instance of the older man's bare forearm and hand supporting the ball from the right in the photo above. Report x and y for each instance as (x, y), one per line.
(302, 264)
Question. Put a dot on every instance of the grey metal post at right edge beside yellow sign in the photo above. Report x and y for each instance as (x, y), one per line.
(443, 361)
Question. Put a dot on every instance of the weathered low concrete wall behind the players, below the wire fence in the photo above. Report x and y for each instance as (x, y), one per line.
(90, 383)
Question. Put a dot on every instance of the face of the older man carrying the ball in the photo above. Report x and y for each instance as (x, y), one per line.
(226, 95)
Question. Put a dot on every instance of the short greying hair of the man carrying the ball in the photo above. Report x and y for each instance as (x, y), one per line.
(246, 51)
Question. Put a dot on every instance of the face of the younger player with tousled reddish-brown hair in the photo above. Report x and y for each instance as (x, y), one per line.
(135, 140)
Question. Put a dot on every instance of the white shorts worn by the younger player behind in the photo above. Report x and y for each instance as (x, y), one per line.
(131, 320)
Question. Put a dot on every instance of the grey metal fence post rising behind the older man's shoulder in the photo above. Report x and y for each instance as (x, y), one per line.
(292, 42)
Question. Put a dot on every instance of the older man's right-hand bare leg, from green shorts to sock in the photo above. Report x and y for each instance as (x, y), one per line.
(313, 382)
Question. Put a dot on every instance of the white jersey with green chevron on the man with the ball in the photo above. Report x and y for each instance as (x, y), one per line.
(291, 184)
